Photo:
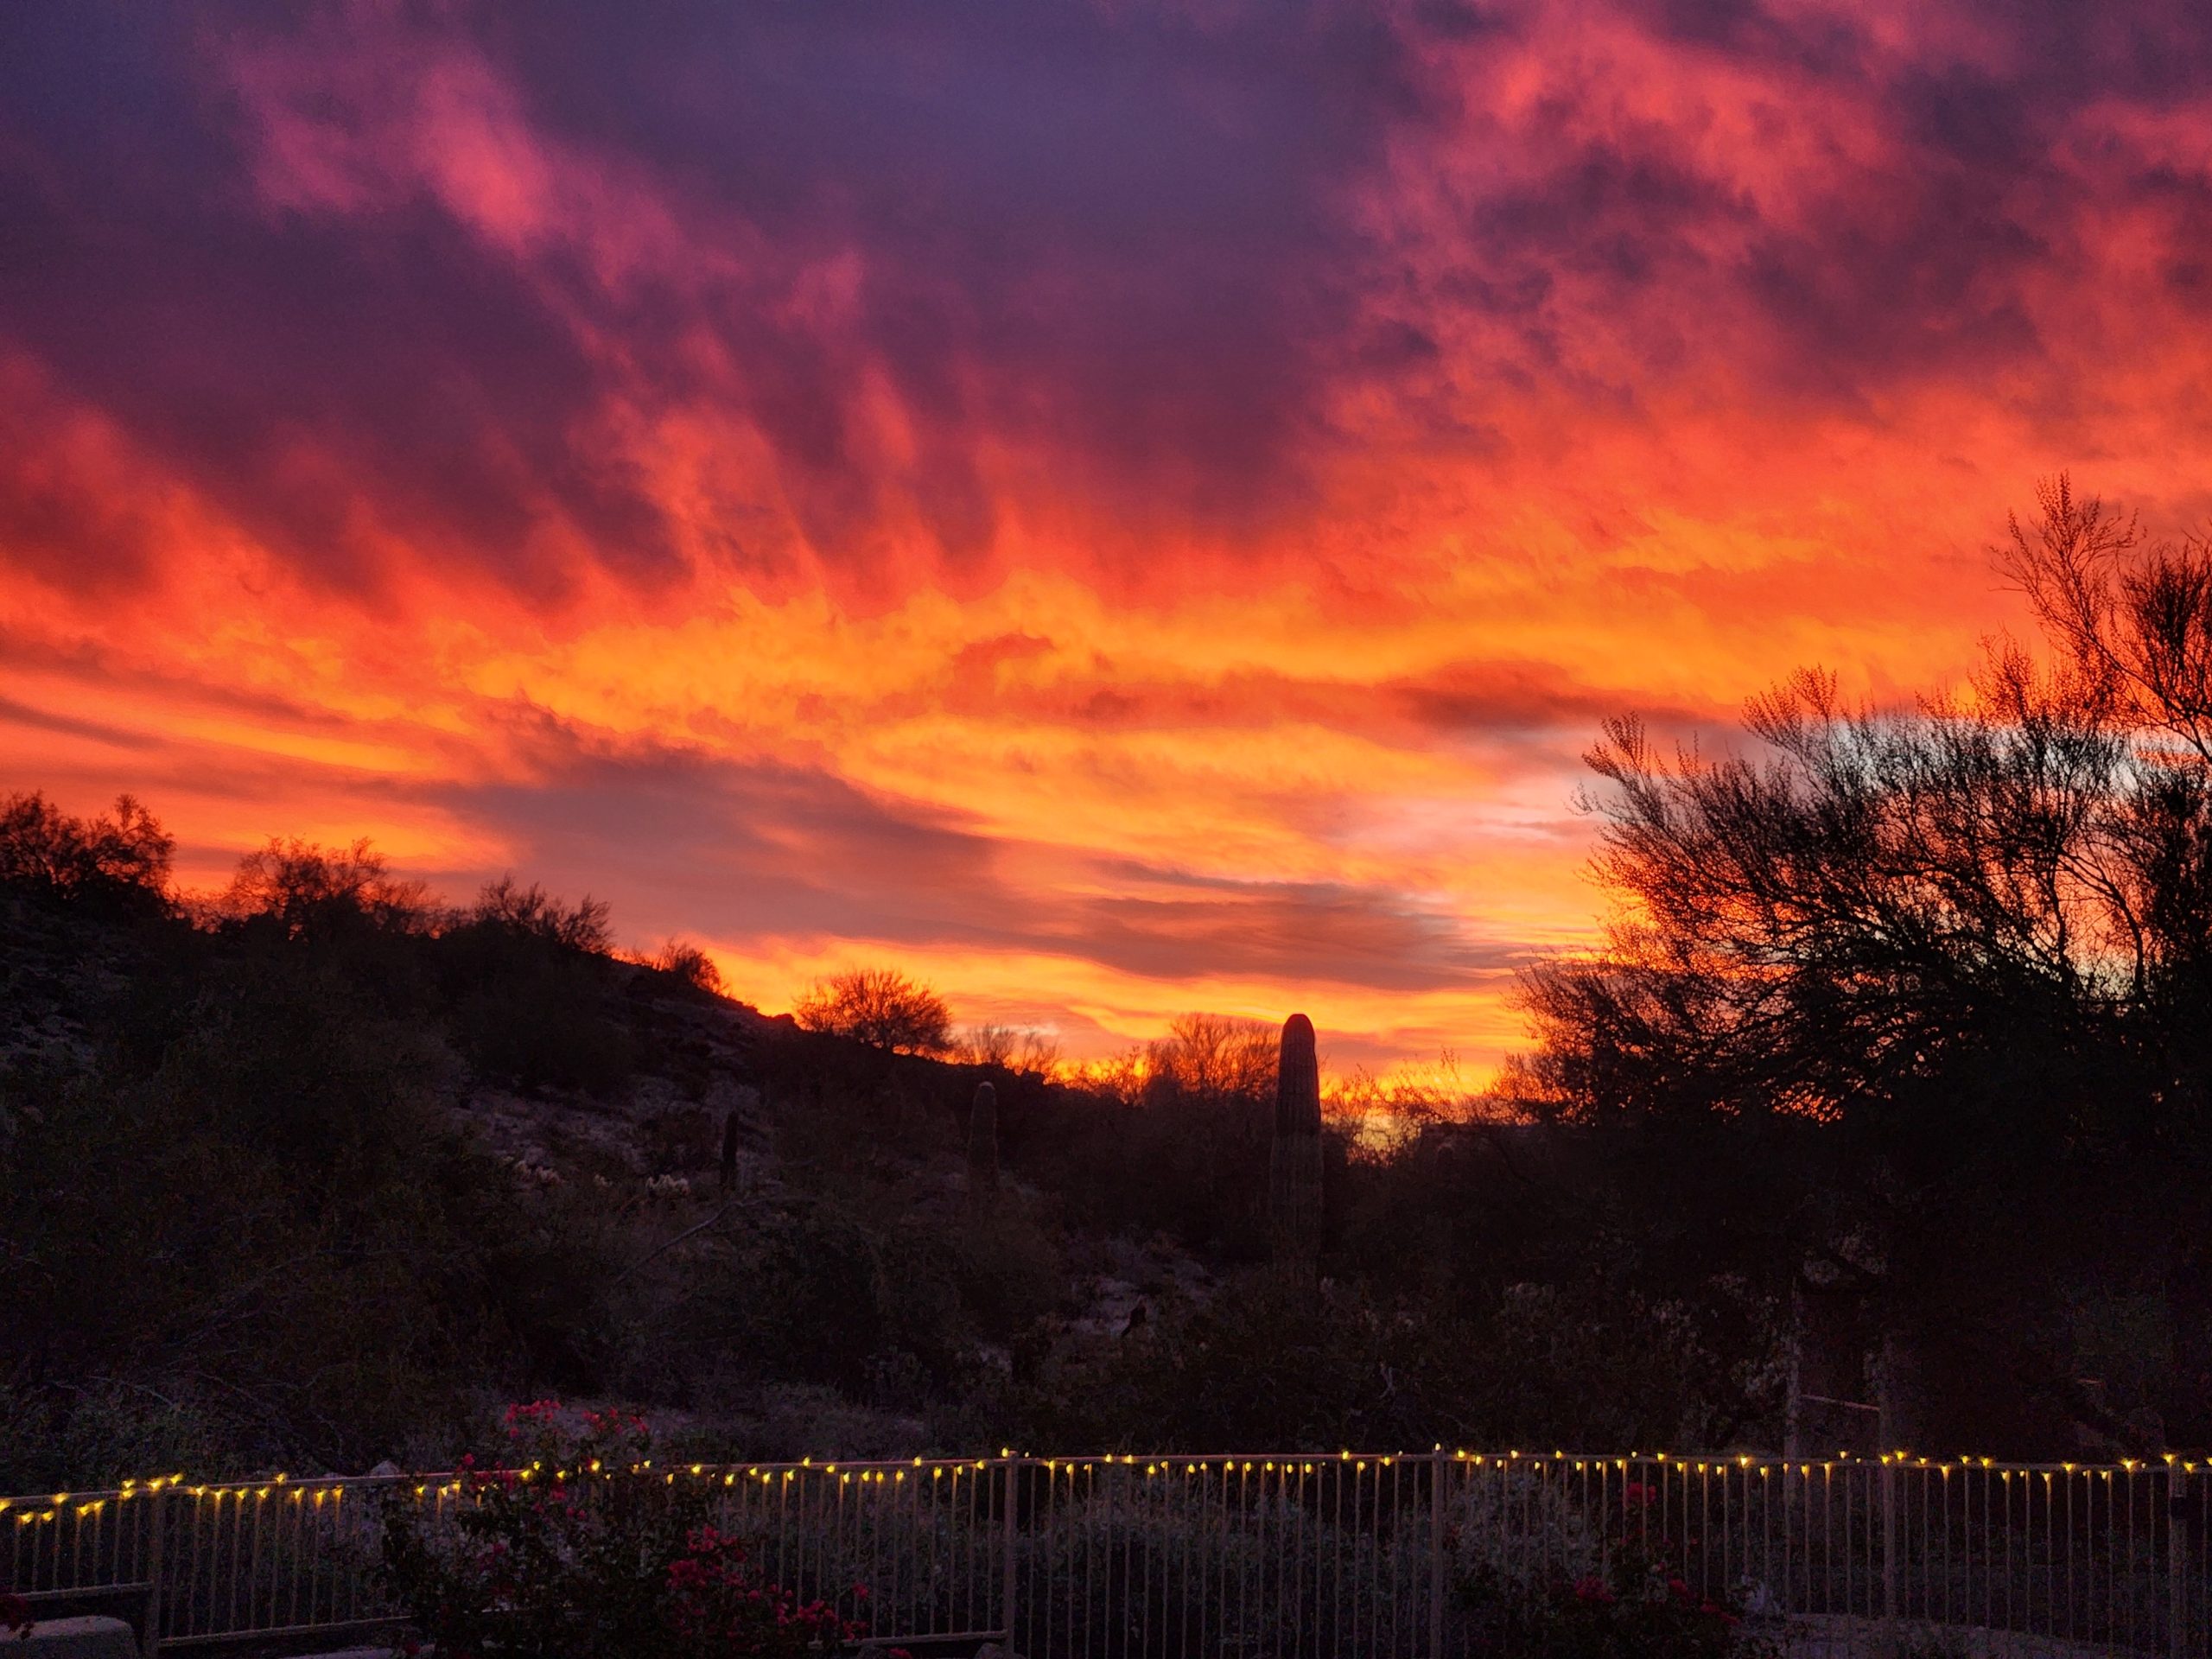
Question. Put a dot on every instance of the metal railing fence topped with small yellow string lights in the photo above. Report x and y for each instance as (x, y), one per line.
(1260, 1556)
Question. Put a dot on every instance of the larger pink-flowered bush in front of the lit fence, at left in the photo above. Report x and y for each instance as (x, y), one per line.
(574, 1547)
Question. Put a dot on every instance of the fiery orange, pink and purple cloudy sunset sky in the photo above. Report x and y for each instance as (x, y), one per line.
(1118, 510)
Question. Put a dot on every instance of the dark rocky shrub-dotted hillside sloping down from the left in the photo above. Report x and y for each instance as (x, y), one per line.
(636, 1187)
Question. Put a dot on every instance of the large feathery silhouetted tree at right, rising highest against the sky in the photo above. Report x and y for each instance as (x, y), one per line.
(1968, 939)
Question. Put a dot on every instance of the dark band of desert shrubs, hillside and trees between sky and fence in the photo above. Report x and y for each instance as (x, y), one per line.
(1899, 1067)
